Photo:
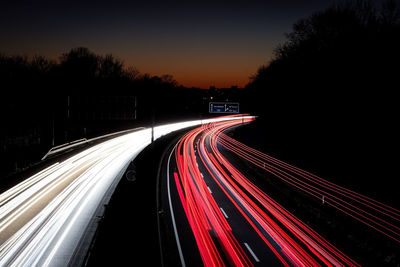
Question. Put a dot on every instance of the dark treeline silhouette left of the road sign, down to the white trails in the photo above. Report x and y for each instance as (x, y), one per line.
(49, 102)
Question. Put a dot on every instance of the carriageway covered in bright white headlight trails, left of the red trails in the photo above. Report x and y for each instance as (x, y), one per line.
(45, 218)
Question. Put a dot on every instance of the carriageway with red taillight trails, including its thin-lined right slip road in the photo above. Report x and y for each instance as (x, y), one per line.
(220, 217)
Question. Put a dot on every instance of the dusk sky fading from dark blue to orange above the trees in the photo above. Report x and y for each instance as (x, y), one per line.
(201, 43)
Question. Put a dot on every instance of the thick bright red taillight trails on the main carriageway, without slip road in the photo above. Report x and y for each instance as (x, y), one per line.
(291, 241)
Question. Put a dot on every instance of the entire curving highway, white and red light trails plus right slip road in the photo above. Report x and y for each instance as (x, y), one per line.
(219, 216)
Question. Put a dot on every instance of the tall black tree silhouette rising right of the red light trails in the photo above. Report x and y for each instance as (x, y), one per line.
(330, 94)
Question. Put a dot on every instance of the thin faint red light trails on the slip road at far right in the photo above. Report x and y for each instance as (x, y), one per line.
(372, 213)
